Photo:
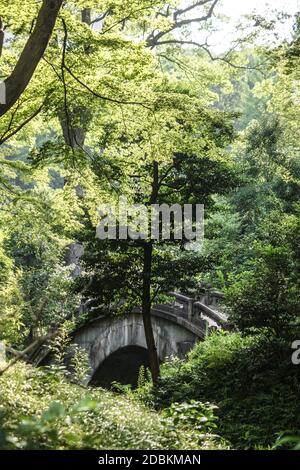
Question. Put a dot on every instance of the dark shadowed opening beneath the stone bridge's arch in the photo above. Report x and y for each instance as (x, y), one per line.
(121, 366)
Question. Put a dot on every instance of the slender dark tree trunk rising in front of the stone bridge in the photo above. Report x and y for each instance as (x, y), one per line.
(146, 312)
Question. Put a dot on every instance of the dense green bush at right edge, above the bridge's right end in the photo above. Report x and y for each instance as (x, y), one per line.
(275, 266)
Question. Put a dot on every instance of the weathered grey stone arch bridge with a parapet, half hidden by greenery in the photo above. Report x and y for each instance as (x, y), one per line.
(177, 326)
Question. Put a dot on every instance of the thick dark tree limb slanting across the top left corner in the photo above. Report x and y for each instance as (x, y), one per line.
(32, 53)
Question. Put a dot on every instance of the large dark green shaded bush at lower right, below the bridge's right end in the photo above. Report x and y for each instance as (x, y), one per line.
(251, 380)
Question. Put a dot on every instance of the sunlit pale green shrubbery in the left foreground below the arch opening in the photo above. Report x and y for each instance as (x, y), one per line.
(43, 411)
